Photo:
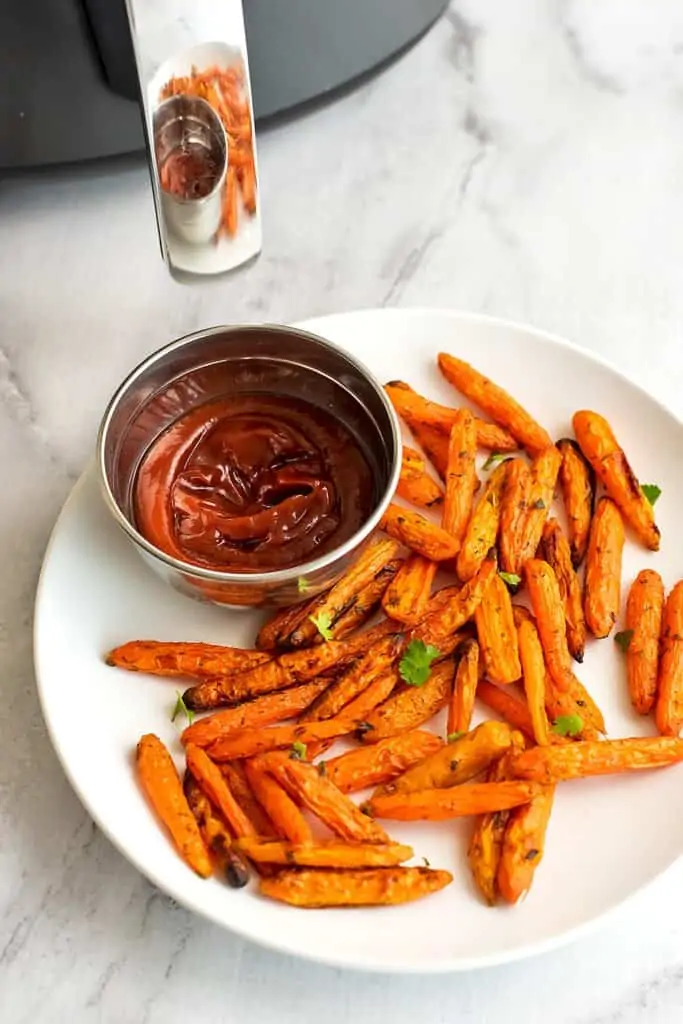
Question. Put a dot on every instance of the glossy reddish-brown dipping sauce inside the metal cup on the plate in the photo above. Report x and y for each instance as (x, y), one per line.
(253, 483)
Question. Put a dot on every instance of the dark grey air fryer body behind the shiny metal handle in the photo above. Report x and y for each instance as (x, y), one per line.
(69, 86)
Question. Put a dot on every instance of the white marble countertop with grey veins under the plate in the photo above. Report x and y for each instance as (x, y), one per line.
(524, 160)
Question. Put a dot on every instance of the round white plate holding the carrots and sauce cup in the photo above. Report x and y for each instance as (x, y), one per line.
(607, 838)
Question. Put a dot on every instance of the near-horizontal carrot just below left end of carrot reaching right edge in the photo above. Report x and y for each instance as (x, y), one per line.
(438, 805)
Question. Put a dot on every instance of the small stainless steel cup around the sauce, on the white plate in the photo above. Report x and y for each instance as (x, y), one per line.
(223, 361)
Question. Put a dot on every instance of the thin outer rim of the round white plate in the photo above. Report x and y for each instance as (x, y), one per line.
(242, 929)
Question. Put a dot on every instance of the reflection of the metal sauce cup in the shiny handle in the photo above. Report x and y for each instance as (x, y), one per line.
(182, 123)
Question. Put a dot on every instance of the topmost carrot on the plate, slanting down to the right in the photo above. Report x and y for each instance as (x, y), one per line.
(496, 403)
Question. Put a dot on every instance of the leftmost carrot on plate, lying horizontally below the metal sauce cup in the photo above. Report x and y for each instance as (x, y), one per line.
(200, 661)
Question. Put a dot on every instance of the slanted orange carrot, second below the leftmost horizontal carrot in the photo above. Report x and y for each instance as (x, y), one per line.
(268, 710)
